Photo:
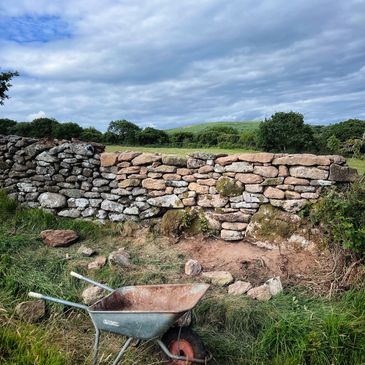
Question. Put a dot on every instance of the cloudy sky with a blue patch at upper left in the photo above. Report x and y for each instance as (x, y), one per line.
(164, 63)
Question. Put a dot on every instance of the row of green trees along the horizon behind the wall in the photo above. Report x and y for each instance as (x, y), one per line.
(283, 132)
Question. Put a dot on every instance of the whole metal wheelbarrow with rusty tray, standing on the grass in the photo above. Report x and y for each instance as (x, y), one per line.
(146, 312)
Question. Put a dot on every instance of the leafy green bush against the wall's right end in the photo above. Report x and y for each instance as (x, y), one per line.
(342, 216)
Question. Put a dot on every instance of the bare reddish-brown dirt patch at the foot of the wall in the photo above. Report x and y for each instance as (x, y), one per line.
(248, 262)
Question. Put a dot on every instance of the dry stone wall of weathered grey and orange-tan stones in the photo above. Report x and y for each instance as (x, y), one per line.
(75, 179)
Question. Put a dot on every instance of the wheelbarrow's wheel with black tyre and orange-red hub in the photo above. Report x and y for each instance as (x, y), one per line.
(184, 342)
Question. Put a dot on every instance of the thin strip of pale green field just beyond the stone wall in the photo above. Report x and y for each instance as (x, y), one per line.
(353, 162)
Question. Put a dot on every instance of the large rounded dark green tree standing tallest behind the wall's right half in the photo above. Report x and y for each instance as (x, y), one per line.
(286, 132)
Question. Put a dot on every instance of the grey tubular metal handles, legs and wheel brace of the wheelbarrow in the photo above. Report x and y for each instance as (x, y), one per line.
(98, 331)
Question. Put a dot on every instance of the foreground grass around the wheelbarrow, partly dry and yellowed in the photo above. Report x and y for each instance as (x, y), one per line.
(292, 329)
